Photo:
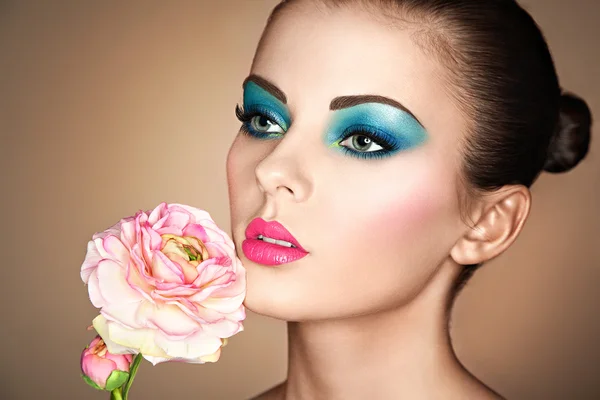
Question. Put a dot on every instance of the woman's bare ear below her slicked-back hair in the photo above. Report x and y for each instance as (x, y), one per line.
(502, 215)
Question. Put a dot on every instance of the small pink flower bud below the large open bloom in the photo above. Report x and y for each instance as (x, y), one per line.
(102, 369)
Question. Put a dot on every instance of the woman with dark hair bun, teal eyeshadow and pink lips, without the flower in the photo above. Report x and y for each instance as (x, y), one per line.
(386, 151)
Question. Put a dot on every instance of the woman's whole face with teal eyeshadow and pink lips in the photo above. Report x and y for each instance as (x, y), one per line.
(367, 189)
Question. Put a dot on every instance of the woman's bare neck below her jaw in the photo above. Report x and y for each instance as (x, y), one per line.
(390, 354)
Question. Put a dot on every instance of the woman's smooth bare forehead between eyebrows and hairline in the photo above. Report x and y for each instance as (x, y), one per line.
(315, 54)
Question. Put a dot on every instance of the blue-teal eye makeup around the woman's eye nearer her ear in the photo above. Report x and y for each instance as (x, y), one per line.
(391, 128)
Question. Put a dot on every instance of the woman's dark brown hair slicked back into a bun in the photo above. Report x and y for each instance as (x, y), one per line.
(503, 78)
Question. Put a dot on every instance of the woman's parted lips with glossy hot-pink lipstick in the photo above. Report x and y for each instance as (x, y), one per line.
(269, 243)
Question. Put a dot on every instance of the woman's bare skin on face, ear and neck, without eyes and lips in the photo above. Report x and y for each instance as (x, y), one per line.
(367, 309)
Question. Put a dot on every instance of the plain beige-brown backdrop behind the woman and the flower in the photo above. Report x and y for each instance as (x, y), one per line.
(107, 108)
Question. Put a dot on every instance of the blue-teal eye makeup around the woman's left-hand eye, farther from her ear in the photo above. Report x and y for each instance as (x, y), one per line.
(261, 108)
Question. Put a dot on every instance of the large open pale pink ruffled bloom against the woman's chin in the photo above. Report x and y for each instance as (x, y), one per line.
(168, 284)
